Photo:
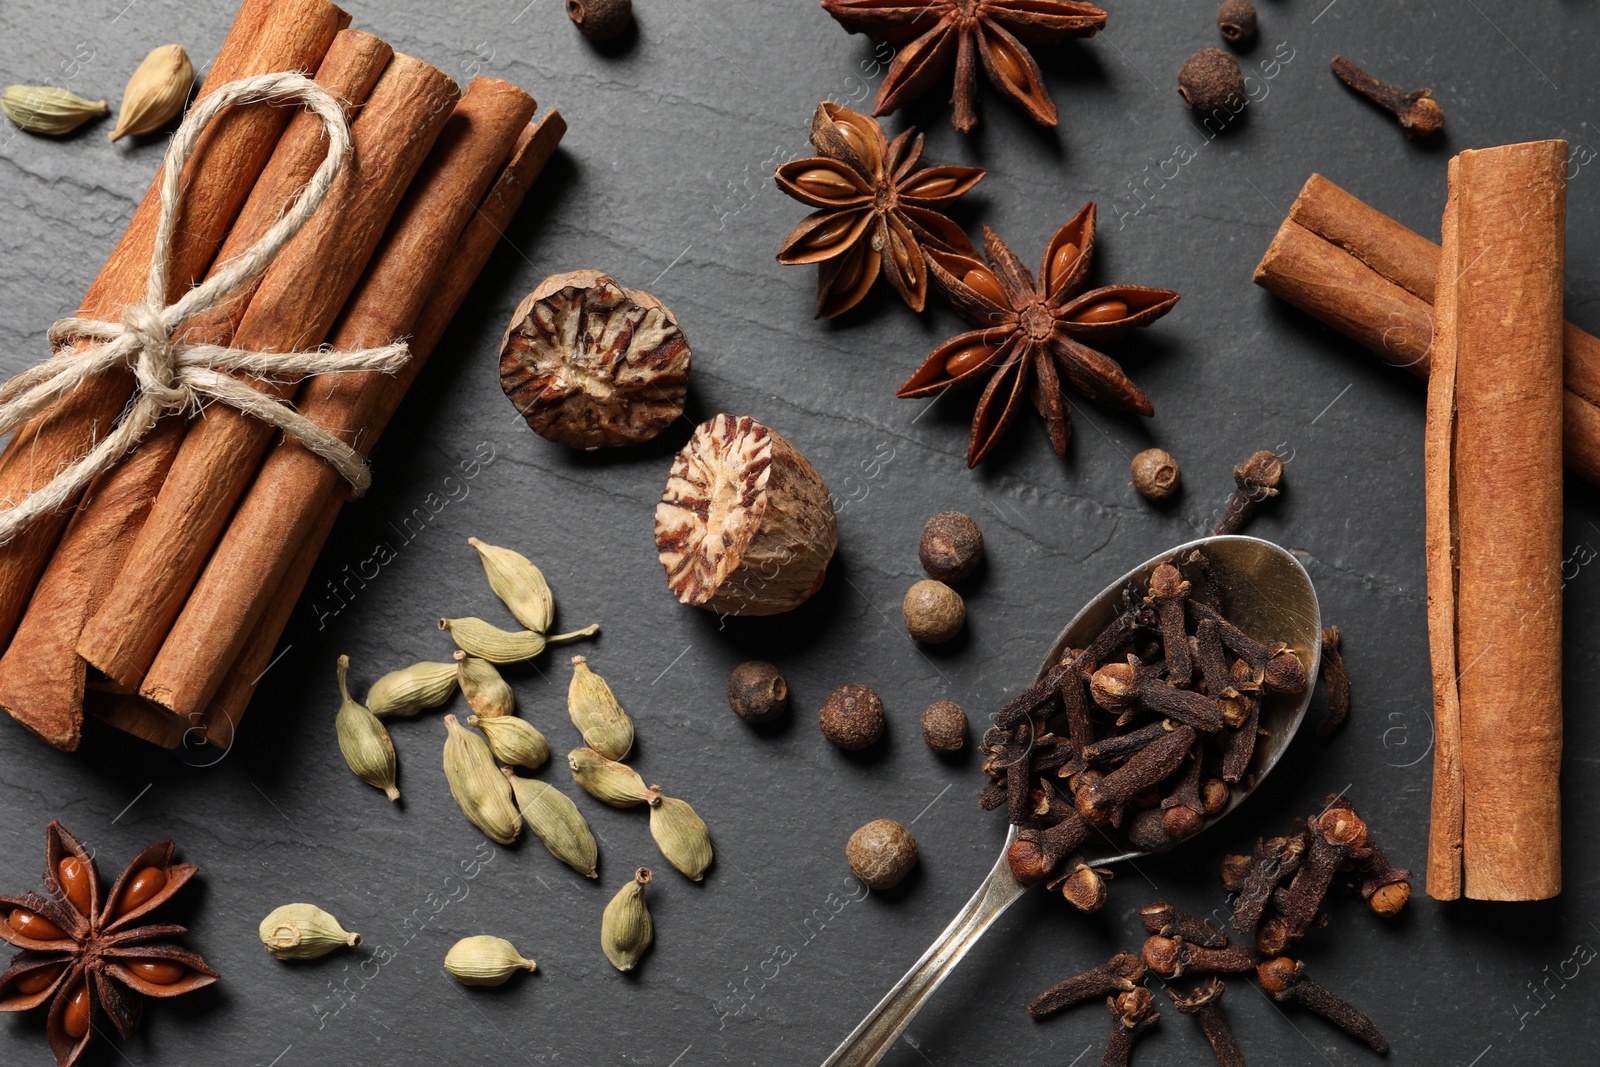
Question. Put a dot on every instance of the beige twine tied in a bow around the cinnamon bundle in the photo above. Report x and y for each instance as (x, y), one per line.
(175, 377)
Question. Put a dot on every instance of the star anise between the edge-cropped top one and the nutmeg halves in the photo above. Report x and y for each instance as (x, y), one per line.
(876, 210)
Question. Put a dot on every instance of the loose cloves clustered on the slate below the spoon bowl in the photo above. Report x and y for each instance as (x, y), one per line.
(1279, 895)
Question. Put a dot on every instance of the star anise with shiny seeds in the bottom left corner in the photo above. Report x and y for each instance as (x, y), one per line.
(87, 954)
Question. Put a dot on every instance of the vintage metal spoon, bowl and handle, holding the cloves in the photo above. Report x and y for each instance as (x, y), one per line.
(1266, 594)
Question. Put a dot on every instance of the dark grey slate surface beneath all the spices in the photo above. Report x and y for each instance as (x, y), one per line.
(665, 182)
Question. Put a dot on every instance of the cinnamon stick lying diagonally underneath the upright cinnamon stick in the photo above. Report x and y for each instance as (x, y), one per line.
(1372, 279)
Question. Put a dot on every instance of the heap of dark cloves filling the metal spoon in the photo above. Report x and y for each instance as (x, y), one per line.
(1159, 717)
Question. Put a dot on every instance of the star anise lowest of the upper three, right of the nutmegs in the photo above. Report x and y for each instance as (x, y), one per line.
(1031, 330)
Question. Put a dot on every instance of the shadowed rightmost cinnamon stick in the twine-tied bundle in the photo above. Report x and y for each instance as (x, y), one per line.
(463, 268)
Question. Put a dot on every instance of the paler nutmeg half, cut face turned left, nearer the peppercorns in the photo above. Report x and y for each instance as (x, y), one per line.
(746, 526)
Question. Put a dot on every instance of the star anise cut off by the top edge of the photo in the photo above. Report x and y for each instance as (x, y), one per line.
(940, 34)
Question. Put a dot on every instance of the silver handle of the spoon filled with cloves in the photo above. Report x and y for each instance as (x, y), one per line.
(884, 1025)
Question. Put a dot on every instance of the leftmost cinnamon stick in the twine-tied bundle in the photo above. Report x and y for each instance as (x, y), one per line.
(268, 36)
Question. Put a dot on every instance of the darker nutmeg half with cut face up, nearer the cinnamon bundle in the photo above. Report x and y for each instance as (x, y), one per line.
(594, 366)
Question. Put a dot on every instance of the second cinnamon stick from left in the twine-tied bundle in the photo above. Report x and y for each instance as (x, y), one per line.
(42, 676)
